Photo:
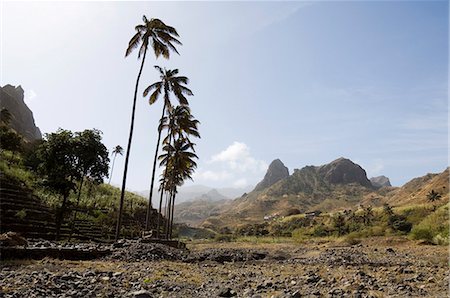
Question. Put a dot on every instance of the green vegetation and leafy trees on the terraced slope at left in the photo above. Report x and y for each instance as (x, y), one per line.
(94, 201)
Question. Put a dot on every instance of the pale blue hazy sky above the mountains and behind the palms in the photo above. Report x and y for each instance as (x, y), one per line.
(305, 82)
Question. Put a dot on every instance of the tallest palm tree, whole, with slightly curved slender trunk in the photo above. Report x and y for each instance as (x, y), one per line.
(161, 38)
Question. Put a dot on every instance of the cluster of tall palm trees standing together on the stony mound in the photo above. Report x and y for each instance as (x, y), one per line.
(178, 150)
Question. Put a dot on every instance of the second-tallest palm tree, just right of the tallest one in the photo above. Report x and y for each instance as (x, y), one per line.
(170, 83)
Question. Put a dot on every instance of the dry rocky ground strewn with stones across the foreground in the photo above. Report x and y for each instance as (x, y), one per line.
(375, 268)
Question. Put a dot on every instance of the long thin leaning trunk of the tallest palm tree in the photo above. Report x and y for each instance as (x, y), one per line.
(127, 156)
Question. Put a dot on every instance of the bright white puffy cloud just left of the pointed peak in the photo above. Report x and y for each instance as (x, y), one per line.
(237, 157)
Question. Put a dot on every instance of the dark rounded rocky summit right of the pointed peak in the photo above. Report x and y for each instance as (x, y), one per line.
(344, 171)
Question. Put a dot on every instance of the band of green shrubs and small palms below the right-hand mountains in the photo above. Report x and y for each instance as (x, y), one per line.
(419, 222)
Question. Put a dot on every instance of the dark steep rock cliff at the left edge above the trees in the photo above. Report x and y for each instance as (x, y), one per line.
(22, 121)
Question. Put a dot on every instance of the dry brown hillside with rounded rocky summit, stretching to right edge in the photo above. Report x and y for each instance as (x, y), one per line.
(336, 186)
